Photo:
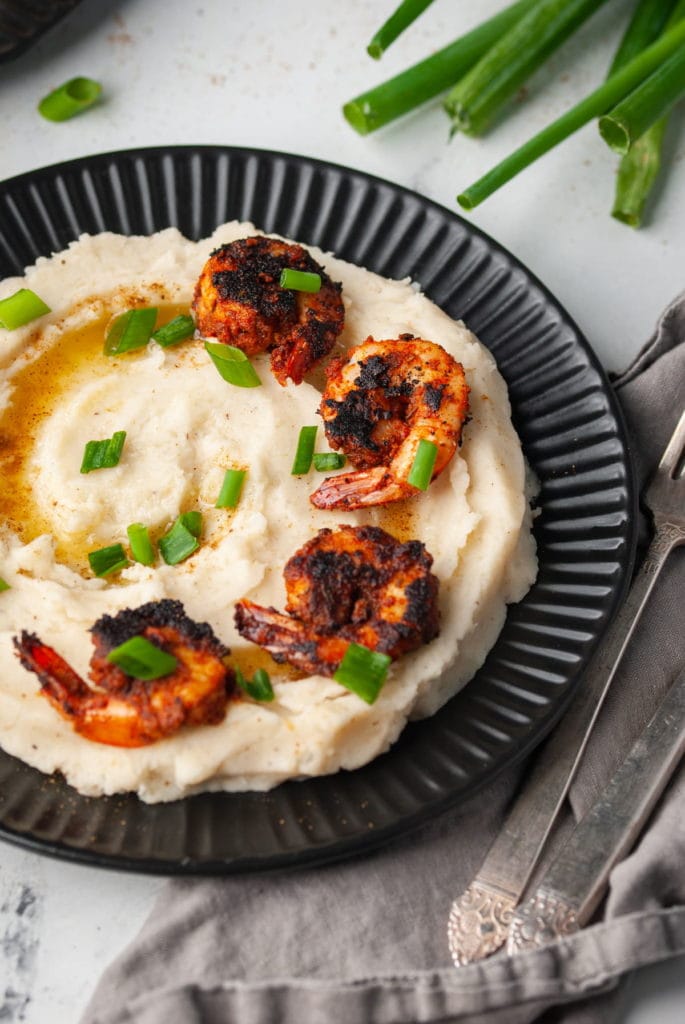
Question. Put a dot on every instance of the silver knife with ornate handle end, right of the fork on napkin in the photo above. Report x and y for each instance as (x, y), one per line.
(575, 883)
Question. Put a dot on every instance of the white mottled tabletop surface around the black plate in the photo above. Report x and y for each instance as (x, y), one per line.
(274, 74)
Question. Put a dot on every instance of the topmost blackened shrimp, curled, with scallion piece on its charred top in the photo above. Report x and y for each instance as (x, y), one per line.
(239, 302)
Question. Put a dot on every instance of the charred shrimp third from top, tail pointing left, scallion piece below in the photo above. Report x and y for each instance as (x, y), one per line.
(355, 584)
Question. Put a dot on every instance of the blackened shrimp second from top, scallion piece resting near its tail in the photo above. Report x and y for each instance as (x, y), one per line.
(379, 404)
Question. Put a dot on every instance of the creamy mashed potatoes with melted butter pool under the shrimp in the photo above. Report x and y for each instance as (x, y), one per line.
(186, 426)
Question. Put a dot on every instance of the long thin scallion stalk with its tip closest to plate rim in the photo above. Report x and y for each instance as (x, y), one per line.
(600, 102)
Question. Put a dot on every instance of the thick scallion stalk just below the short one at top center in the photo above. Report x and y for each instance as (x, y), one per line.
(423, 81)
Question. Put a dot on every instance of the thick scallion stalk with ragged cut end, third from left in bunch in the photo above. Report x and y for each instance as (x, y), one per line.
(474, 103)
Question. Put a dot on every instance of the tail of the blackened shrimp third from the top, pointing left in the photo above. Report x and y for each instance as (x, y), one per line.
(288, 639)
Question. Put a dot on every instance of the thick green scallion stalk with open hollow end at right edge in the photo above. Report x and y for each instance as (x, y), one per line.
(653, 99)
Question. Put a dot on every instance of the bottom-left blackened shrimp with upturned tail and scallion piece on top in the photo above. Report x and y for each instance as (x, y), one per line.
(129, 712)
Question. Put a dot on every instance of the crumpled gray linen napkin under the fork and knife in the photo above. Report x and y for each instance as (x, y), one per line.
(364, 943)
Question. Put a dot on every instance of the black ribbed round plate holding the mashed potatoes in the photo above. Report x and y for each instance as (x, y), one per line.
(573, 436)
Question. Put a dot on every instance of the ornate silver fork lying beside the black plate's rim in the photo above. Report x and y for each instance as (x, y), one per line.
(480, 919)
